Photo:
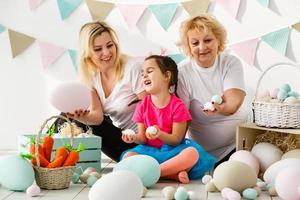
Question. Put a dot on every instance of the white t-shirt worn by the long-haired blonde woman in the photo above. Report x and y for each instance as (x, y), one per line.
(125, 91)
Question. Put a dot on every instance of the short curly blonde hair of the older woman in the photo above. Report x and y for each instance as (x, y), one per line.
(201, 23)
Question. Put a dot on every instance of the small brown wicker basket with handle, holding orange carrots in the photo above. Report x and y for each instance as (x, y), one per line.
(52, 178)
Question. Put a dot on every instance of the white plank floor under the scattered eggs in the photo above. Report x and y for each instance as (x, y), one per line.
(80, 191)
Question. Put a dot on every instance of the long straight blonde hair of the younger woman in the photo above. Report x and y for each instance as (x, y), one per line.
(87, 35)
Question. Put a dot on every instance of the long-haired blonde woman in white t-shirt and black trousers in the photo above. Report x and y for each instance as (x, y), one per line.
(114, 80)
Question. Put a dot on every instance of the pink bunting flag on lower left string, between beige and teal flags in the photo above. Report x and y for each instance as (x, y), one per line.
(50, 53)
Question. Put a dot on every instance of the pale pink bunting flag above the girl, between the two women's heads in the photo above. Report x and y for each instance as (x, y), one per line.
(132, 13)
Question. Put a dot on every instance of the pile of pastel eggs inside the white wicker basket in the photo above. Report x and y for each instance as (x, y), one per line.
(284, 94)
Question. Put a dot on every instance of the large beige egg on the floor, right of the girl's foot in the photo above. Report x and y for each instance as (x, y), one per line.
(235, 175)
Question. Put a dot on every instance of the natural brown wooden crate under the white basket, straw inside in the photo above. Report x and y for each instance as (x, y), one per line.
(246, 134)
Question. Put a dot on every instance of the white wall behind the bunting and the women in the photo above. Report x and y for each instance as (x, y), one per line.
(25, 85)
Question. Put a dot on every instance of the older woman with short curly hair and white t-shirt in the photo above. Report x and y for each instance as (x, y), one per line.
(206, 73)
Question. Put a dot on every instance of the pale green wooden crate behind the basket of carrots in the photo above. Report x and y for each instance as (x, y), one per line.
(90, 157)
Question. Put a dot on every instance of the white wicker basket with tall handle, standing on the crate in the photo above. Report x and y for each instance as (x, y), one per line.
(278, 115)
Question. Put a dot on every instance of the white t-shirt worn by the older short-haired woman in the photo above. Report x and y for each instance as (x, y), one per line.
(196, 86)
